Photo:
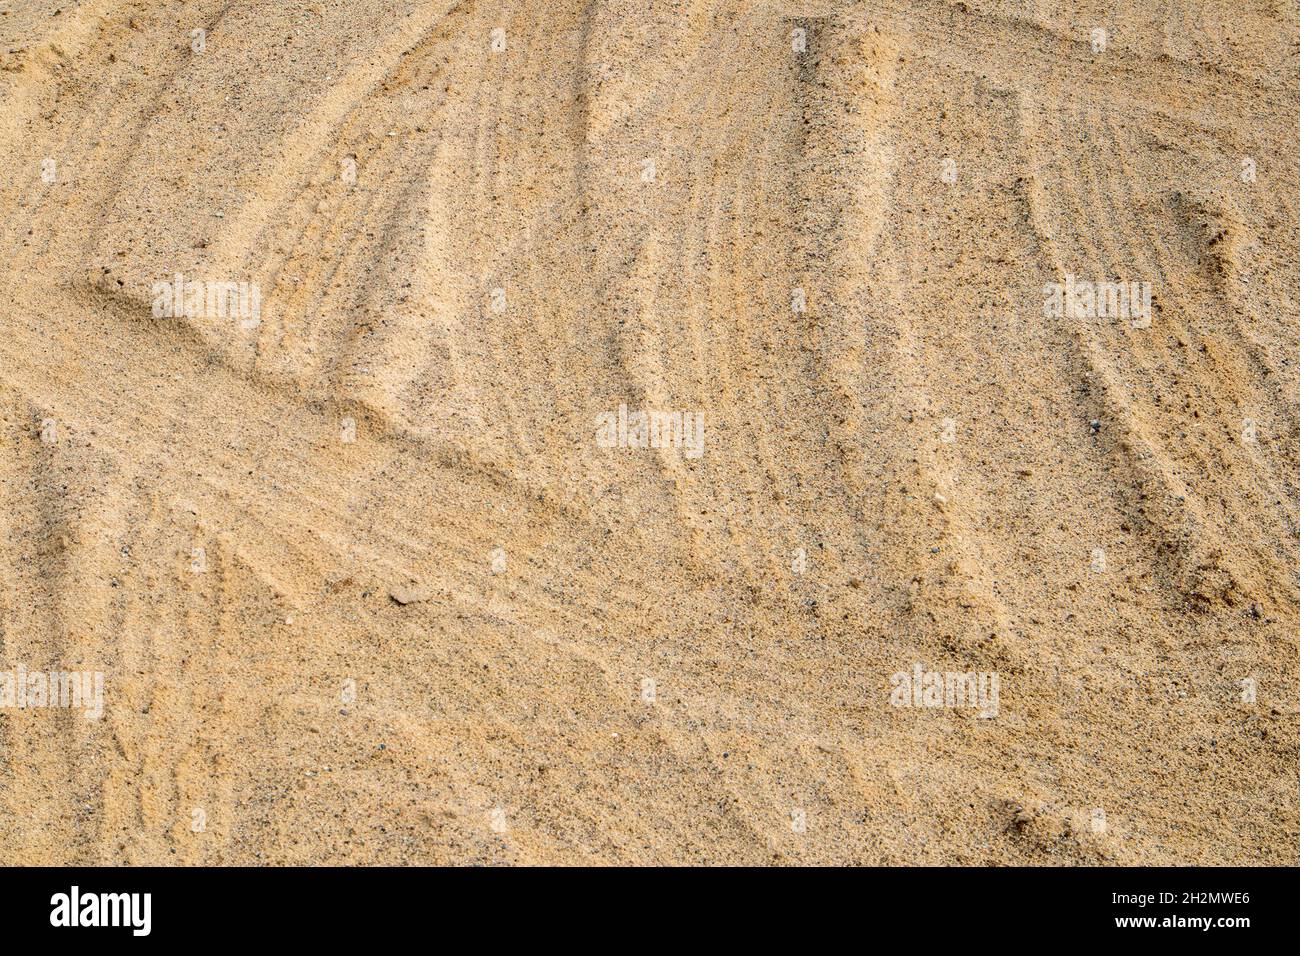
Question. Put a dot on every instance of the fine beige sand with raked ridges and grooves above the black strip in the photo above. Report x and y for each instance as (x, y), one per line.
(367, 586)
